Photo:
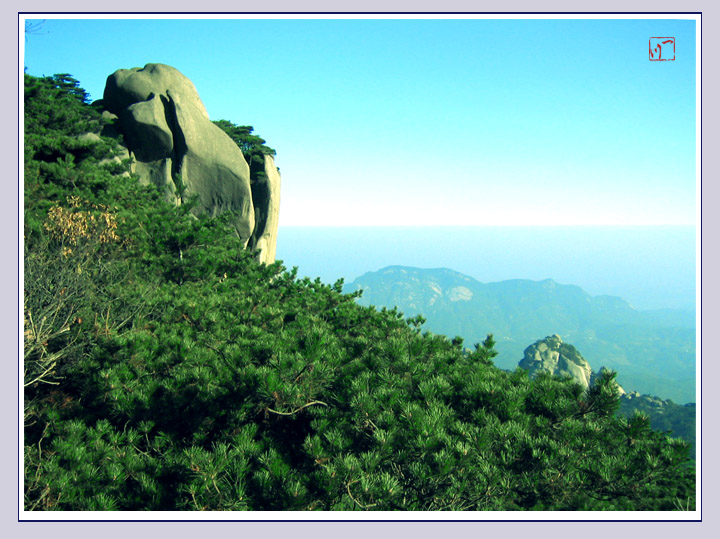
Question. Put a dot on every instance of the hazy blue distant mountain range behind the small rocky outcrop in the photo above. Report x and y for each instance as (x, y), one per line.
(652, 351)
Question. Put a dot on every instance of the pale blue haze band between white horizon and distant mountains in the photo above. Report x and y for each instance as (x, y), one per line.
(650, 267)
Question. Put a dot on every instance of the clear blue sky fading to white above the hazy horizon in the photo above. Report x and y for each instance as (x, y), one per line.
(431, 122)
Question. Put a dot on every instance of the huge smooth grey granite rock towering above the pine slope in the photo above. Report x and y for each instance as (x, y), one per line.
(174, 145)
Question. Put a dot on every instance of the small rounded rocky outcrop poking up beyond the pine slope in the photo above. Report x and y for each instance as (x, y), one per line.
(552, 355)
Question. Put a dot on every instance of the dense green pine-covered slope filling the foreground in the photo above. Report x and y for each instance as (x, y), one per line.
(166, 369)
